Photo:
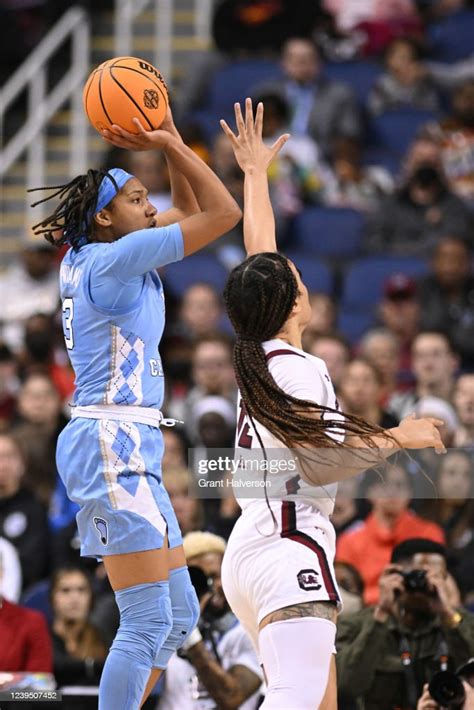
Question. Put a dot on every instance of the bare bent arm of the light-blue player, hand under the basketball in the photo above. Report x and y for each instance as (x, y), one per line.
(219, 212)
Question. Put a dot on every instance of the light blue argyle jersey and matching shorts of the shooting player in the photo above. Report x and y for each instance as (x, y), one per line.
(113, 319)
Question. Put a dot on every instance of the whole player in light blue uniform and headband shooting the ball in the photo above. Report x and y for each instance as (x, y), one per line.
(109, 455)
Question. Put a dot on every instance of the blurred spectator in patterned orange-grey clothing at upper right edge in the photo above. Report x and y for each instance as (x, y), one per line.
(457, 133)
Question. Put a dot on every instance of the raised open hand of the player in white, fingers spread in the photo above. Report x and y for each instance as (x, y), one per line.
(249, 149)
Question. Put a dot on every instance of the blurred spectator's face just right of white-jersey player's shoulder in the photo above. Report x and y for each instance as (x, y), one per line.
(360, 391)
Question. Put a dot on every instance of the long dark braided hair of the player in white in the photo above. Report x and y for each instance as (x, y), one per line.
(259, 296)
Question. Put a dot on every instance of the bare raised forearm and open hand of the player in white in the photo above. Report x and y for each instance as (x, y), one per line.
(254, 157)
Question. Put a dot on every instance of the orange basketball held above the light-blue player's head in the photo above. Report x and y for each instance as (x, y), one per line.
(122, 89)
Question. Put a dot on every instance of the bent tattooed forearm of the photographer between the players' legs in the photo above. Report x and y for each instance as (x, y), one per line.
(229, 689)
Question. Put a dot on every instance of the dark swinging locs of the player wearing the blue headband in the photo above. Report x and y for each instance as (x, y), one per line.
(74, 213)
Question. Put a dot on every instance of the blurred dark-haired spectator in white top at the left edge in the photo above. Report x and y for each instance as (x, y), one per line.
(28, 287)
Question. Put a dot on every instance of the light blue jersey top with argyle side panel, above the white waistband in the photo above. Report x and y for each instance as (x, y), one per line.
(114, 315)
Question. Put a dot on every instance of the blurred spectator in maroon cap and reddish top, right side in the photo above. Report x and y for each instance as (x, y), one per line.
(399, 312)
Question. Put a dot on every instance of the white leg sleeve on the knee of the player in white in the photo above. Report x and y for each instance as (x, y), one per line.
(296, 655)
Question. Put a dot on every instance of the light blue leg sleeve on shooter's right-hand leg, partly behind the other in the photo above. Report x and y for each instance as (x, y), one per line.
(185, 610)
